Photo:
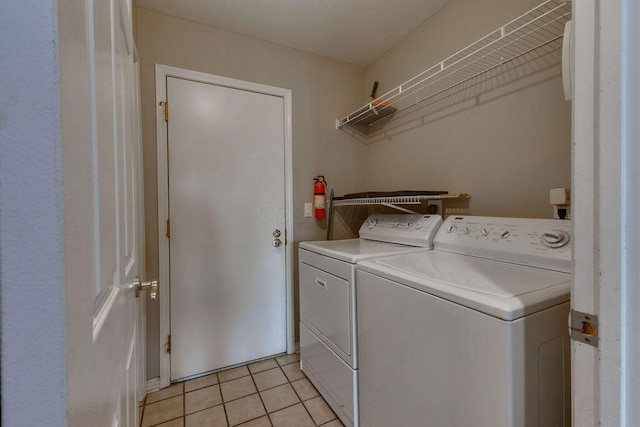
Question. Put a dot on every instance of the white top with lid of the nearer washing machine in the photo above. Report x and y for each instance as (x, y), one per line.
(500, 289)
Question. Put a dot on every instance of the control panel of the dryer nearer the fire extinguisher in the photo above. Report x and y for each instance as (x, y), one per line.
(406, 229)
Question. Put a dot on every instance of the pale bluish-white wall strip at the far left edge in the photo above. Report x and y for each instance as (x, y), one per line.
(32, 278)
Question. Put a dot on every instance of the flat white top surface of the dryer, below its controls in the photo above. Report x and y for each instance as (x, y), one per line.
(355, 250)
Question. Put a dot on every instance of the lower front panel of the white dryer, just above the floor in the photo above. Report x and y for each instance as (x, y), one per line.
(336, 382)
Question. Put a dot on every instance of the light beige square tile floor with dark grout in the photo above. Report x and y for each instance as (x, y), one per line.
(269, 393)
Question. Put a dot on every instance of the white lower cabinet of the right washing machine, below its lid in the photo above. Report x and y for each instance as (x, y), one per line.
(427, 361)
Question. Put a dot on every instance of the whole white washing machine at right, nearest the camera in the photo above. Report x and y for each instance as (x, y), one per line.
(473, 333)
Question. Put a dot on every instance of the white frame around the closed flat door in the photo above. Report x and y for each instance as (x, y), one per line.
(162, 73)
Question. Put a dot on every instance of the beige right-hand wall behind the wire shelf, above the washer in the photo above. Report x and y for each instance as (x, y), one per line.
(507, 142)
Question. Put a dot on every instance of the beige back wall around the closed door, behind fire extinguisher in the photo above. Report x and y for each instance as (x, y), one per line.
(320, 88)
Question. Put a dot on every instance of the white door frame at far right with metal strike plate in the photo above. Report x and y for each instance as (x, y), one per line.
(606, 200)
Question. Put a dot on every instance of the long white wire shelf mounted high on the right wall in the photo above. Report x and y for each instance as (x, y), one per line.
(540, 28)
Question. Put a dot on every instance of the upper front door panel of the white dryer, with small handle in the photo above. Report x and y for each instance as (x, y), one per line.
(325, 304)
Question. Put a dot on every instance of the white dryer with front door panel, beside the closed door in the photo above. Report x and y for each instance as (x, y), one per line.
(328, 332)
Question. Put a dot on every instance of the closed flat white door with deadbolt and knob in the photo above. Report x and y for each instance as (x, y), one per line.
(226, 156)
